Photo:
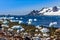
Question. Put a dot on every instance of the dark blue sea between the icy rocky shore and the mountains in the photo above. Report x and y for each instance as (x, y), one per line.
(41, 20)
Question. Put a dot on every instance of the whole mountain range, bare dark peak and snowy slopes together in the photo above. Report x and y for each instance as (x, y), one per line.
(46, 11)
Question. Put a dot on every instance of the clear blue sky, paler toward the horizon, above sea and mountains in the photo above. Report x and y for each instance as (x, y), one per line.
(23, 7)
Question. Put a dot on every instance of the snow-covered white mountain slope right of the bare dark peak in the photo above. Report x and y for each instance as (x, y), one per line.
(50, 11)
